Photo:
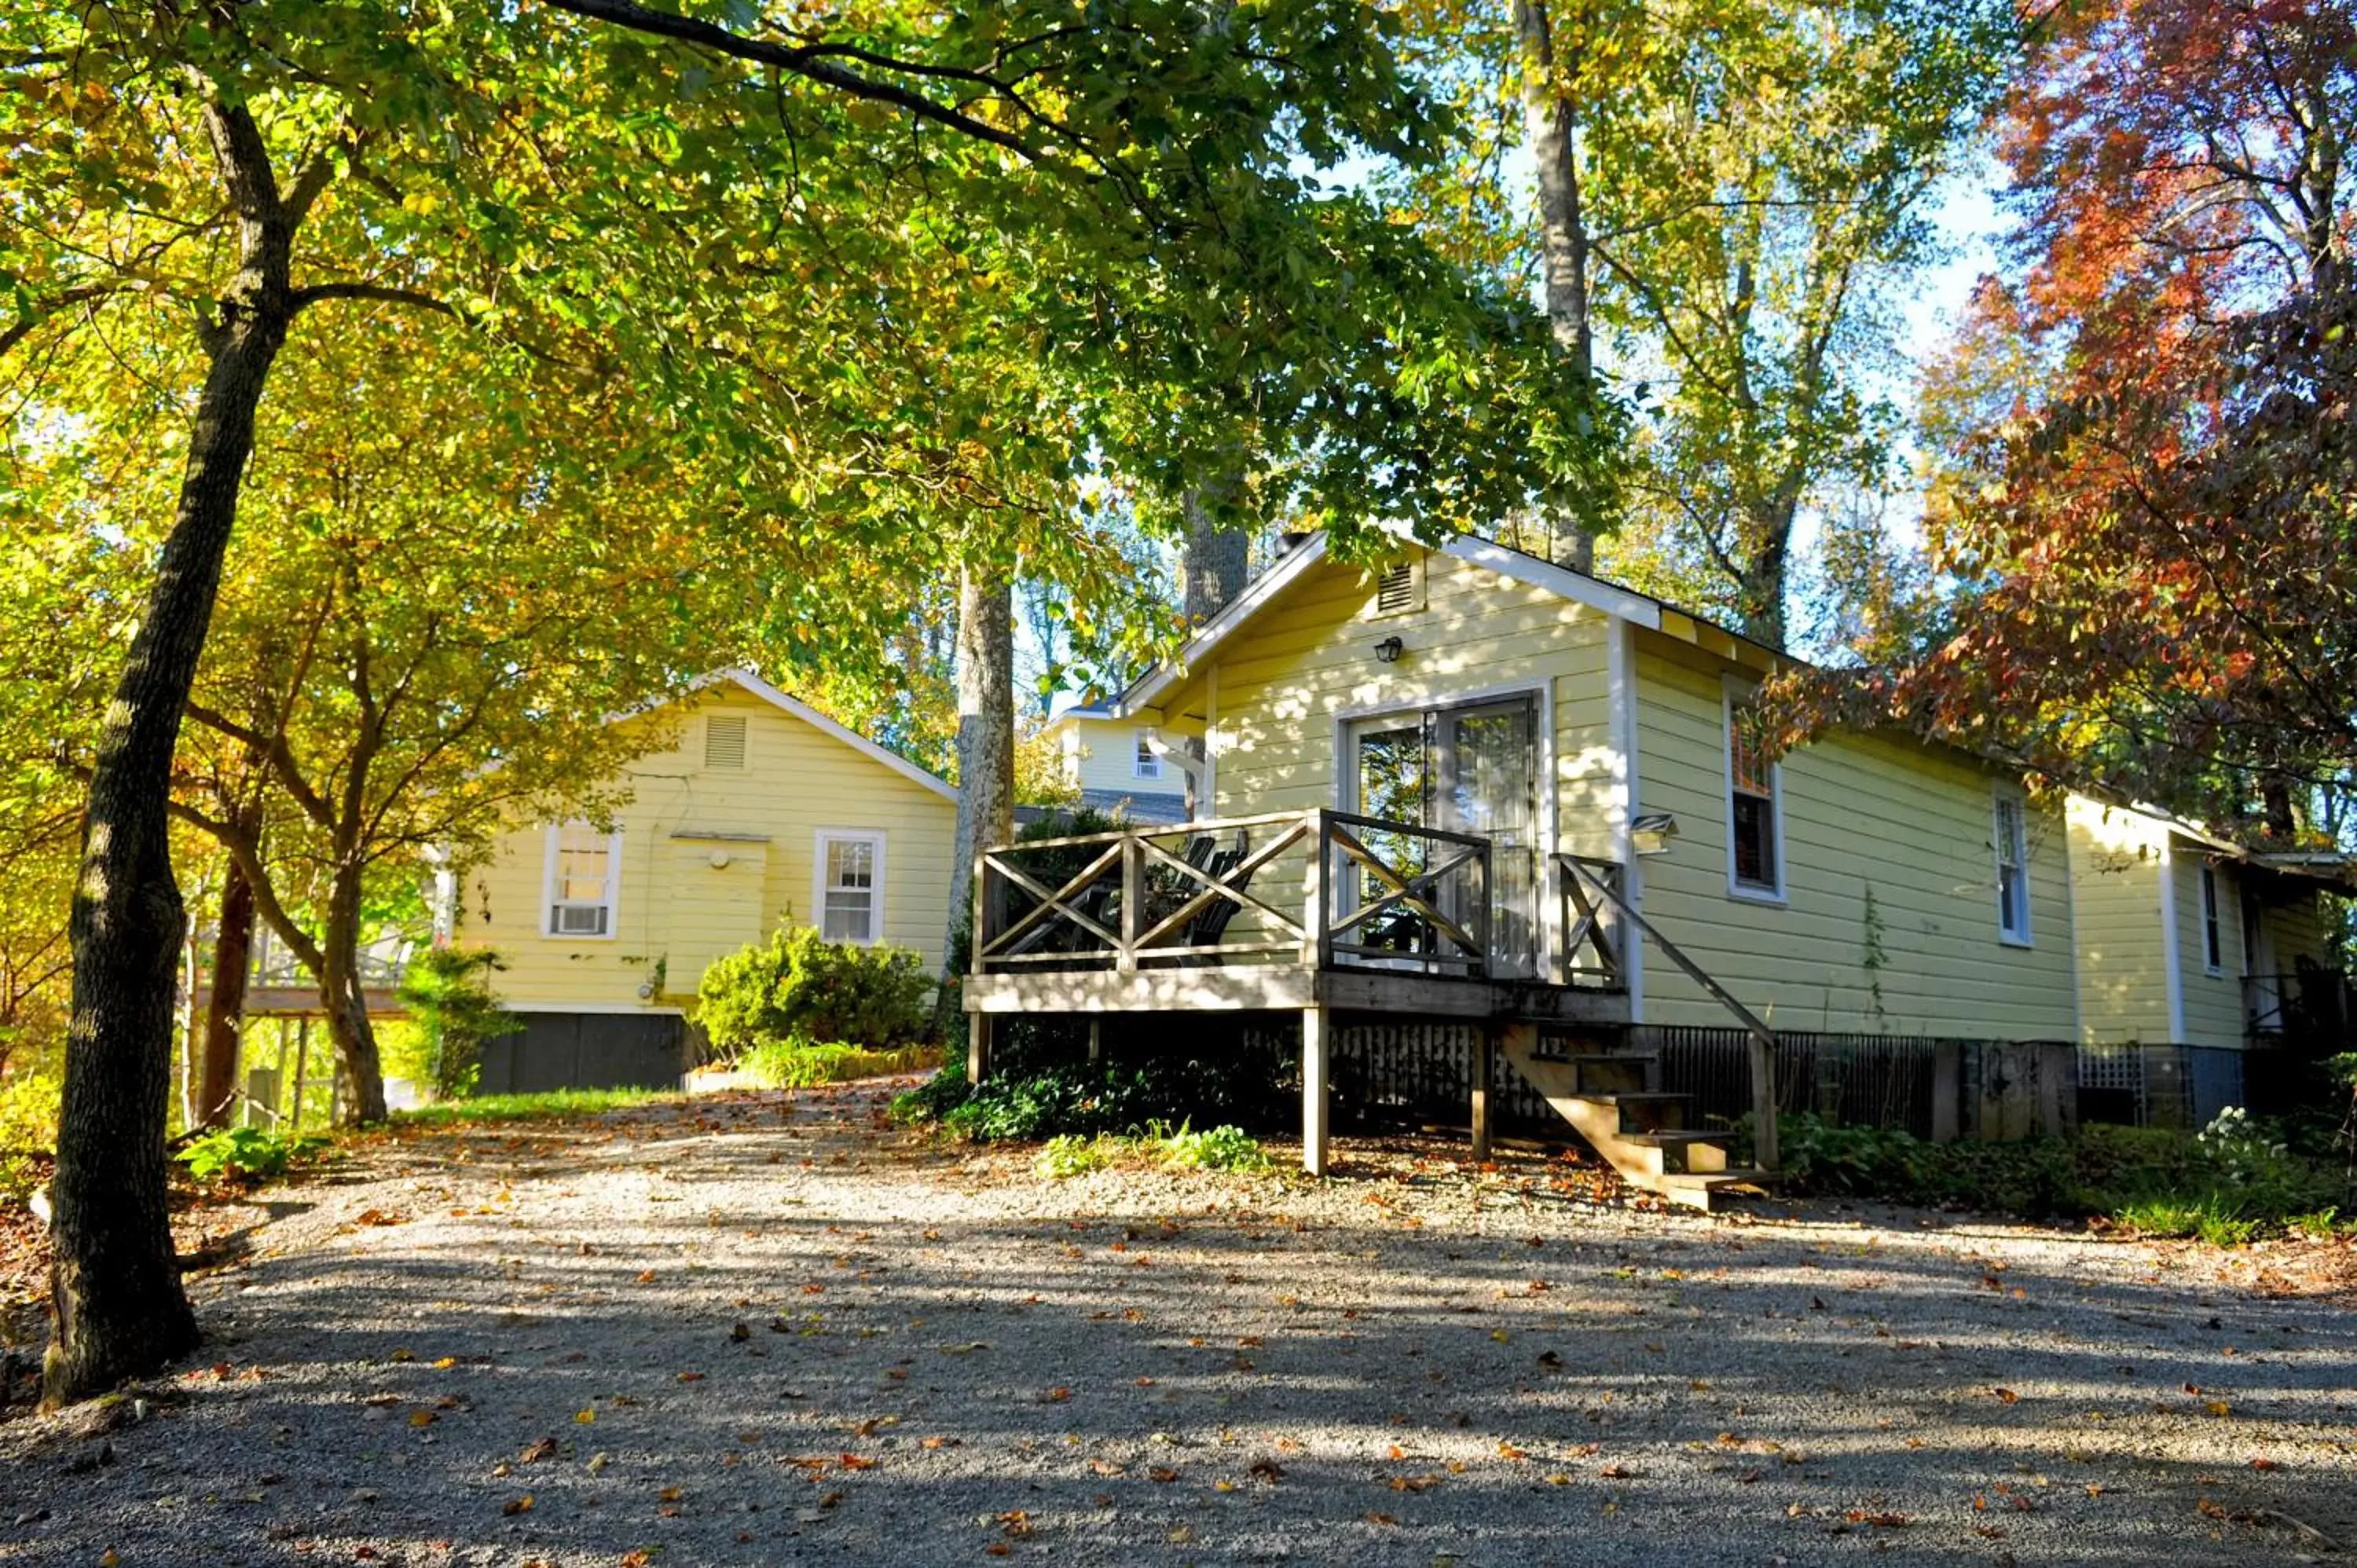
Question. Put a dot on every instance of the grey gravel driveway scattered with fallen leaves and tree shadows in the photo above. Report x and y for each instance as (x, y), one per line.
(772, 1331)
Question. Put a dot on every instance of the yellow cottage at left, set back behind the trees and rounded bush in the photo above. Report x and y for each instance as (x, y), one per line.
(758, 810)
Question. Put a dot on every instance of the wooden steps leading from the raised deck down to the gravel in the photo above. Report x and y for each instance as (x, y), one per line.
(1616, 1100)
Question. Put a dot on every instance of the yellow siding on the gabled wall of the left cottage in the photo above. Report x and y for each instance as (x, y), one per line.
(675, 909)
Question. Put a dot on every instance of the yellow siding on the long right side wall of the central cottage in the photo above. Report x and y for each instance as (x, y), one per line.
(1913, 824)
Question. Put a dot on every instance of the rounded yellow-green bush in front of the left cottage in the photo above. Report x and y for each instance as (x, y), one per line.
(798, 987)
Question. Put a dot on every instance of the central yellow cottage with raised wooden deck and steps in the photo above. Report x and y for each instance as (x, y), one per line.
(1488, 789)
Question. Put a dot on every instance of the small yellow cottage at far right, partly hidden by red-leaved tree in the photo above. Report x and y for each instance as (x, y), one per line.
(2193, 942)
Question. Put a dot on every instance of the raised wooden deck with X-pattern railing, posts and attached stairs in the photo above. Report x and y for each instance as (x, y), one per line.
(1333, 916)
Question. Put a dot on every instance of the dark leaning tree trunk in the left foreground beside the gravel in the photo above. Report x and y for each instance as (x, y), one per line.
(114, 1282)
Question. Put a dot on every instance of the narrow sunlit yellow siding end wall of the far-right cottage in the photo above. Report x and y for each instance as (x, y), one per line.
(2115, 859)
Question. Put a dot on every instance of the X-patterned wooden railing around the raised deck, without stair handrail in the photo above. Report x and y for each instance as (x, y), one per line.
(1309, 888)
